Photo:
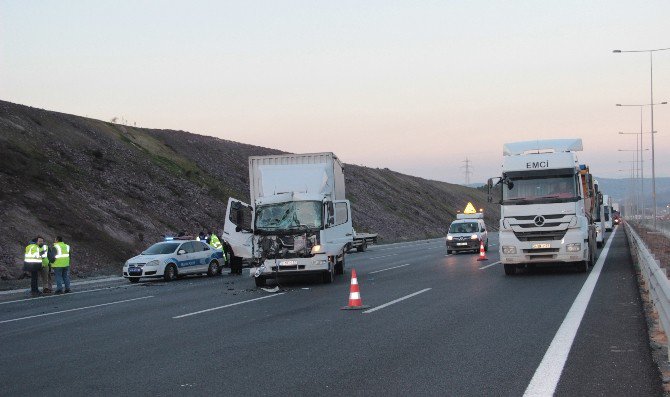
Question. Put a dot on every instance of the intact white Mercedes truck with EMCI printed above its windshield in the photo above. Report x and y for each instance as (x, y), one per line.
(547, 206)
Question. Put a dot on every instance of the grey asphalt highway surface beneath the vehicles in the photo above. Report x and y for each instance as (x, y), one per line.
(437, 325)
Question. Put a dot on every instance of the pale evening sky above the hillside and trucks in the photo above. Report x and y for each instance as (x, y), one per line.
(414, 86)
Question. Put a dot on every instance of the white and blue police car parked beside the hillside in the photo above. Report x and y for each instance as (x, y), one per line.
(174, 258)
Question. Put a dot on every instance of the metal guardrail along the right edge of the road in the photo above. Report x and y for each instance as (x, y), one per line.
(655, 278)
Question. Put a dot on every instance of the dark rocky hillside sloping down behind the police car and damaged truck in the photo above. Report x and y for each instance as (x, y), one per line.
(110, 190)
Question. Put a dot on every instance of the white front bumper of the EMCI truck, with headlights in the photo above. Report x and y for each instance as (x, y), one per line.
(572, 248)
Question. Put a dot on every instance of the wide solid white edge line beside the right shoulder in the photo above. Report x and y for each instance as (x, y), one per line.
(548, 373)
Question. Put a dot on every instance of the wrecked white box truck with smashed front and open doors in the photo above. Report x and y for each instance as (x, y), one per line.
(298, 221)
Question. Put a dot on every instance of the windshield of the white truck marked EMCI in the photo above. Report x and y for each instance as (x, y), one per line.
(549, 189)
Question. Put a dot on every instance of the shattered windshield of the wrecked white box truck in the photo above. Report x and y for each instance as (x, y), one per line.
(291, 215)
